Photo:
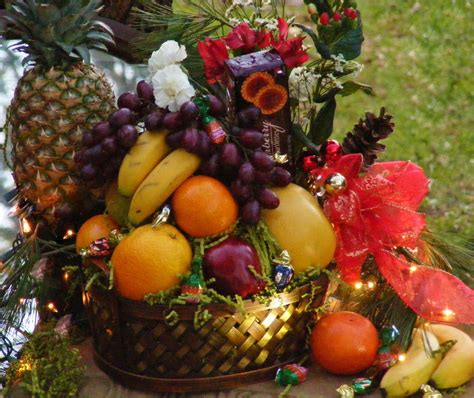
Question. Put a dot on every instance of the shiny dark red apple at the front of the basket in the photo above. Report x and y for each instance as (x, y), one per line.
(228, 262)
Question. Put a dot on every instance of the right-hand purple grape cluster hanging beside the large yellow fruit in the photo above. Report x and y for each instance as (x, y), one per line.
(248, 168)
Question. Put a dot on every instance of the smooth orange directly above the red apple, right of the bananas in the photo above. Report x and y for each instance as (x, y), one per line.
(203, 206)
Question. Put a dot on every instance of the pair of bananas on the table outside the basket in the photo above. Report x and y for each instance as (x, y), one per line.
(423, 363)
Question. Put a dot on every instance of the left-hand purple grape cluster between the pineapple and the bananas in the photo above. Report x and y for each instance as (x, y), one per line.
(104, 147)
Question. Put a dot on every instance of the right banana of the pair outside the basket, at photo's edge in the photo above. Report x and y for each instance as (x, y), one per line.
(457, 367)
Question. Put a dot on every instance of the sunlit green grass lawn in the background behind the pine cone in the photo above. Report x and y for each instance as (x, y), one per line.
(418, 57)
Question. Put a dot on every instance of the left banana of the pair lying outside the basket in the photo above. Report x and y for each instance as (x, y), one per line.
(406, 378)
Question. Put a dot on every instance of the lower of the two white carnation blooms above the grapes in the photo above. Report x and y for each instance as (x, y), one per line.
(172, 88)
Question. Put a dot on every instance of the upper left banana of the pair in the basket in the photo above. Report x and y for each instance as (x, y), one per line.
(148, 151)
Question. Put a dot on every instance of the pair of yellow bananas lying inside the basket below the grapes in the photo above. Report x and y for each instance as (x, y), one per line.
(151, 171)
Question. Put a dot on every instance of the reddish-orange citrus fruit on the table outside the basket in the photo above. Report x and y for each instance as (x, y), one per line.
(344, 343)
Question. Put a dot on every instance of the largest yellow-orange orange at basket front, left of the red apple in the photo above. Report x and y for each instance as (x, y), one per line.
(150, 260)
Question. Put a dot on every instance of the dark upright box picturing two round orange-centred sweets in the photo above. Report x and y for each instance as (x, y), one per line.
(261, 79)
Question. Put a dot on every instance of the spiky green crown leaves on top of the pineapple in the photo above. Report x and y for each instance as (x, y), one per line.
(57, 32)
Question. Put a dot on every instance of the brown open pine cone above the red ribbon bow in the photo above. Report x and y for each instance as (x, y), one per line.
(366, 134)
